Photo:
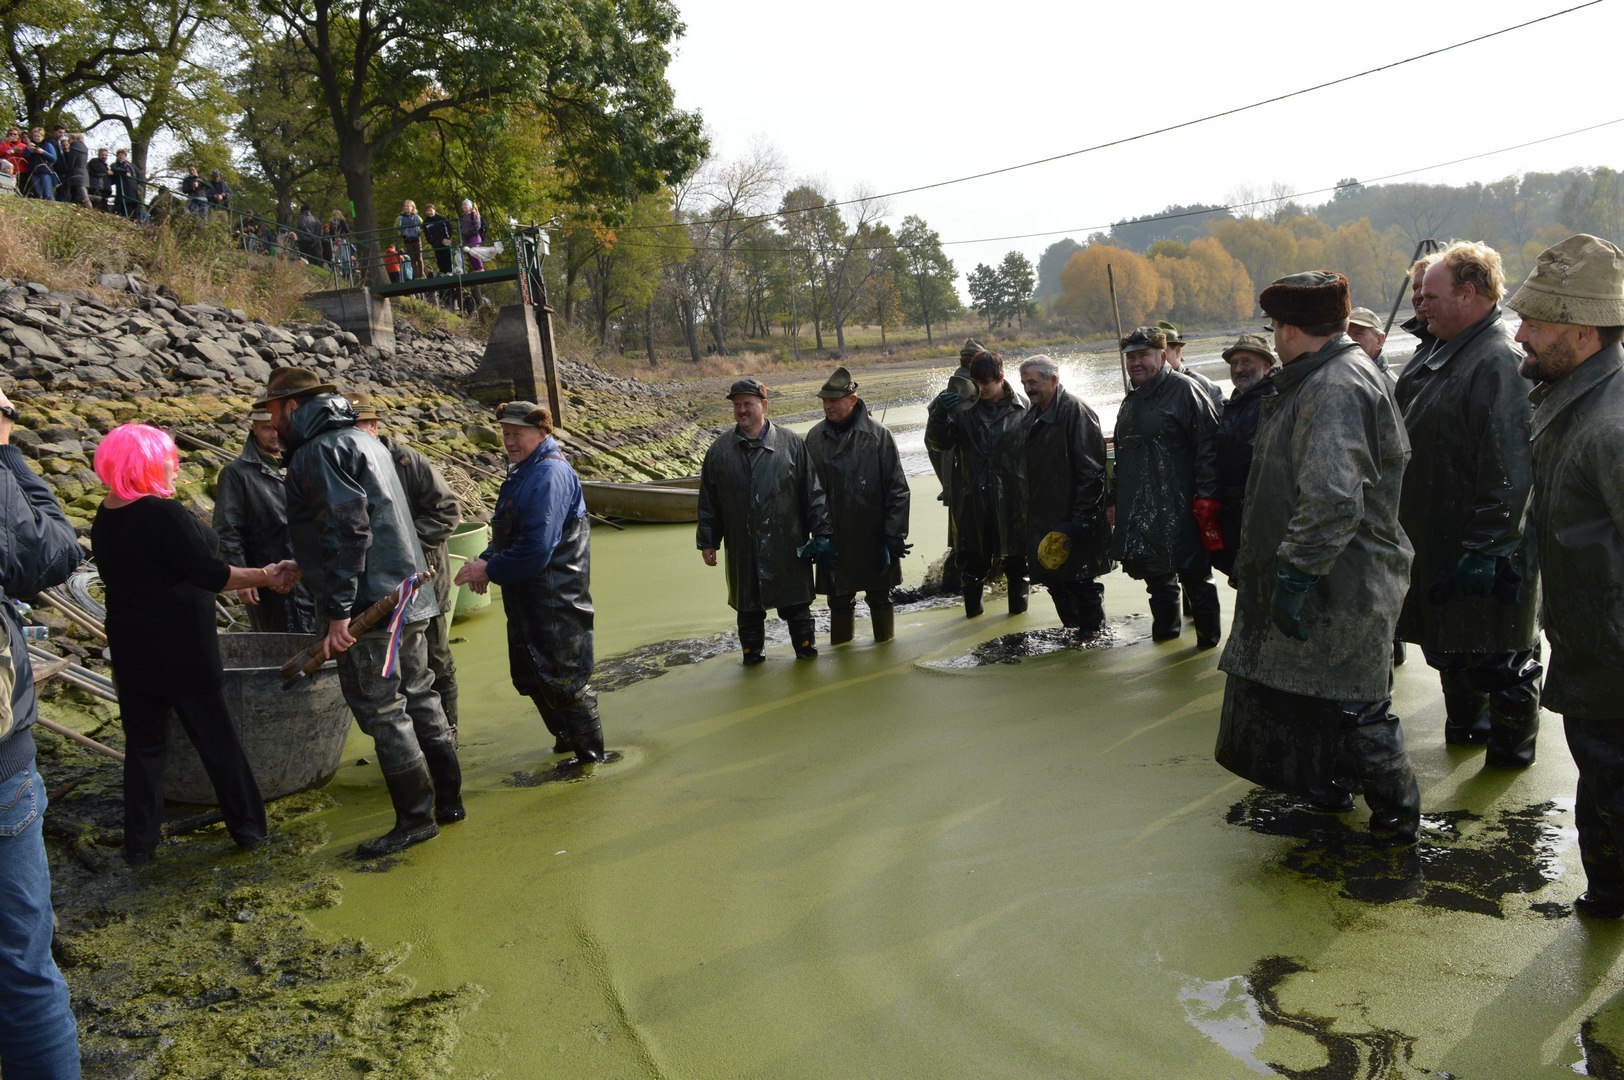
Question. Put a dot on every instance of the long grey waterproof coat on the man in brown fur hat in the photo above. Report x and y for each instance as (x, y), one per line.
(1324, 498)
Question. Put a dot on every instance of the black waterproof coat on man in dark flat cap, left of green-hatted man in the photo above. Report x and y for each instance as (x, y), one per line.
(759, 503)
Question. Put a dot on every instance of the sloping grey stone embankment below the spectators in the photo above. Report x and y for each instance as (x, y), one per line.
(84, 363)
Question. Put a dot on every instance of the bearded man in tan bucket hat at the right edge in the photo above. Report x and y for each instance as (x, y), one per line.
(1573, 316)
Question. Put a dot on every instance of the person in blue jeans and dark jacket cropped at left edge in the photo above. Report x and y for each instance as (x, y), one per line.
(38, 1037)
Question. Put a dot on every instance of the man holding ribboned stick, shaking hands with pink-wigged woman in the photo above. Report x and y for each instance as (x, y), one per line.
(353, 535)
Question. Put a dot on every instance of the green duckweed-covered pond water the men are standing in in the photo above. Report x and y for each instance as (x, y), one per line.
(978, 850)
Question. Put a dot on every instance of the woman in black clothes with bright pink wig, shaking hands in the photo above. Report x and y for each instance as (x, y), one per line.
(162, 571)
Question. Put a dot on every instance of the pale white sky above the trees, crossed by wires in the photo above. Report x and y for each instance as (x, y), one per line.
(889, 95)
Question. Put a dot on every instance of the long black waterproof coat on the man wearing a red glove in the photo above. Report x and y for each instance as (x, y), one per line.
(1167, 459)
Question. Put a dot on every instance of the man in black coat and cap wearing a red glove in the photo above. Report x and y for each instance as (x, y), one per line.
(1165, 490)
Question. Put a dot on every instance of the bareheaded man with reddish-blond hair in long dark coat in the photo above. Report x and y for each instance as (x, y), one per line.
(1474, 584)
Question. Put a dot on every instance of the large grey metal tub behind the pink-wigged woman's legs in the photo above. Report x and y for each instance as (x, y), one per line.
(295, 738)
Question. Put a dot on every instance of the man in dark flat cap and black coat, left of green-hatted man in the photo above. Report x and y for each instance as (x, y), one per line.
(761, 498)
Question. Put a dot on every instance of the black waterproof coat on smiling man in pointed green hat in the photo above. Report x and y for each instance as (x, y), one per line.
(866, 495)
